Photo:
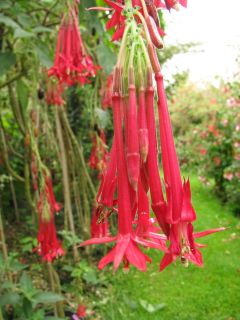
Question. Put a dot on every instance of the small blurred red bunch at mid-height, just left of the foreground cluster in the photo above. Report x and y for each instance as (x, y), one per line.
(98, 157)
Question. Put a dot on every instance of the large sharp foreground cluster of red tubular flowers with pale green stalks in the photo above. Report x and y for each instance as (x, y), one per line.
(133, 169)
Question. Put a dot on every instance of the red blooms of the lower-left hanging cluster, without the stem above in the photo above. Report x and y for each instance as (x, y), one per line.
(49, 246)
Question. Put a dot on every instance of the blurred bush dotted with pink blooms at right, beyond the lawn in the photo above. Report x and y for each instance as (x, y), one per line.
(206, 124)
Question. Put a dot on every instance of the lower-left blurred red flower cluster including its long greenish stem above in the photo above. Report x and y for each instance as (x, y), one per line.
(49, 246)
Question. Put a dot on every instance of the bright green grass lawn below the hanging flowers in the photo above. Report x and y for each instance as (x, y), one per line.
(178, 293)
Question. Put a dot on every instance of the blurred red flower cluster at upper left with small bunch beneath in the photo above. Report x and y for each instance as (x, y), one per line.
(72, 63)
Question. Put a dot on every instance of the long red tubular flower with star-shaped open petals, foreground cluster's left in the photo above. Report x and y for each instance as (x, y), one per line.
(126, 248)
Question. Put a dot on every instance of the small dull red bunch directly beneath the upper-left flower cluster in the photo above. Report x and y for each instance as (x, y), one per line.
(54, 93)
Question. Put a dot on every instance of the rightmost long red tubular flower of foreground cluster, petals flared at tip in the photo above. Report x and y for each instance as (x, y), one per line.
(179, 212)
